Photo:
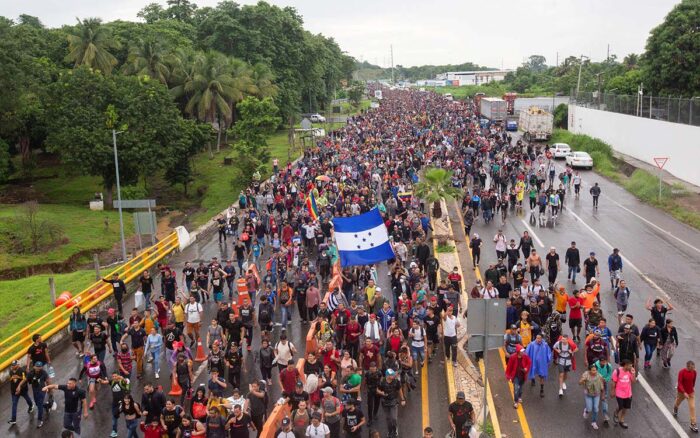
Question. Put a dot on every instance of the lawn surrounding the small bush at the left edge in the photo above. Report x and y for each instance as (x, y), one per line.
(84, 229)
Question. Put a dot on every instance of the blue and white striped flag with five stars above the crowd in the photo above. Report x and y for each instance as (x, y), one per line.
(362, 240)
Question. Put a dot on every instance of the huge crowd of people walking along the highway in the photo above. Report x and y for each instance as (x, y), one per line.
(368, 346)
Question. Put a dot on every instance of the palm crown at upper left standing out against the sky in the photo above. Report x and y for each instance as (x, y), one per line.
(89, 45)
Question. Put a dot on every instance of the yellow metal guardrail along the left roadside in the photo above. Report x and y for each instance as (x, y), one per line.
(15, 346)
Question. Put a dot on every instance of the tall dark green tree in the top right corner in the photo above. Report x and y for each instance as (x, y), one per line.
(672, 57)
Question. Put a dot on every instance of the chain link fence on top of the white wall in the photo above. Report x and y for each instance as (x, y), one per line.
(668, 109)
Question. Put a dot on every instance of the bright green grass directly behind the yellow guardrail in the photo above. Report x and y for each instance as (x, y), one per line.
(15, 294)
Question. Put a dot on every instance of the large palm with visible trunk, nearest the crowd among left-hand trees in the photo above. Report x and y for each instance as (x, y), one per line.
(208, 89)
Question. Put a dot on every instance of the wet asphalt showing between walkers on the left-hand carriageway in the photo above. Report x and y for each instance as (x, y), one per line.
(67, 364)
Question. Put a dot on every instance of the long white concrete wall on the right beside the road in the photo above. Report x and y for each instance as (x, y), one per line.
(643, 139)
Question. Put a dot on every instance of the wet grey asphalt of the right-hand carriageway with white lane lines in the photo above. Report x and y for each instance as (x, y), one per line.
(660, 258)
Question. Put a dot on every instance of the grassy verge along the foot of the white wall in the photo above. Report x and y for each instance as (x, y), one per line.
(642, 184)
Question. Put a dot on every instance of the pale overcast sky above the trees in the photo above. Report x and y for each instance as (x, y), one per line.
(488, 32)
